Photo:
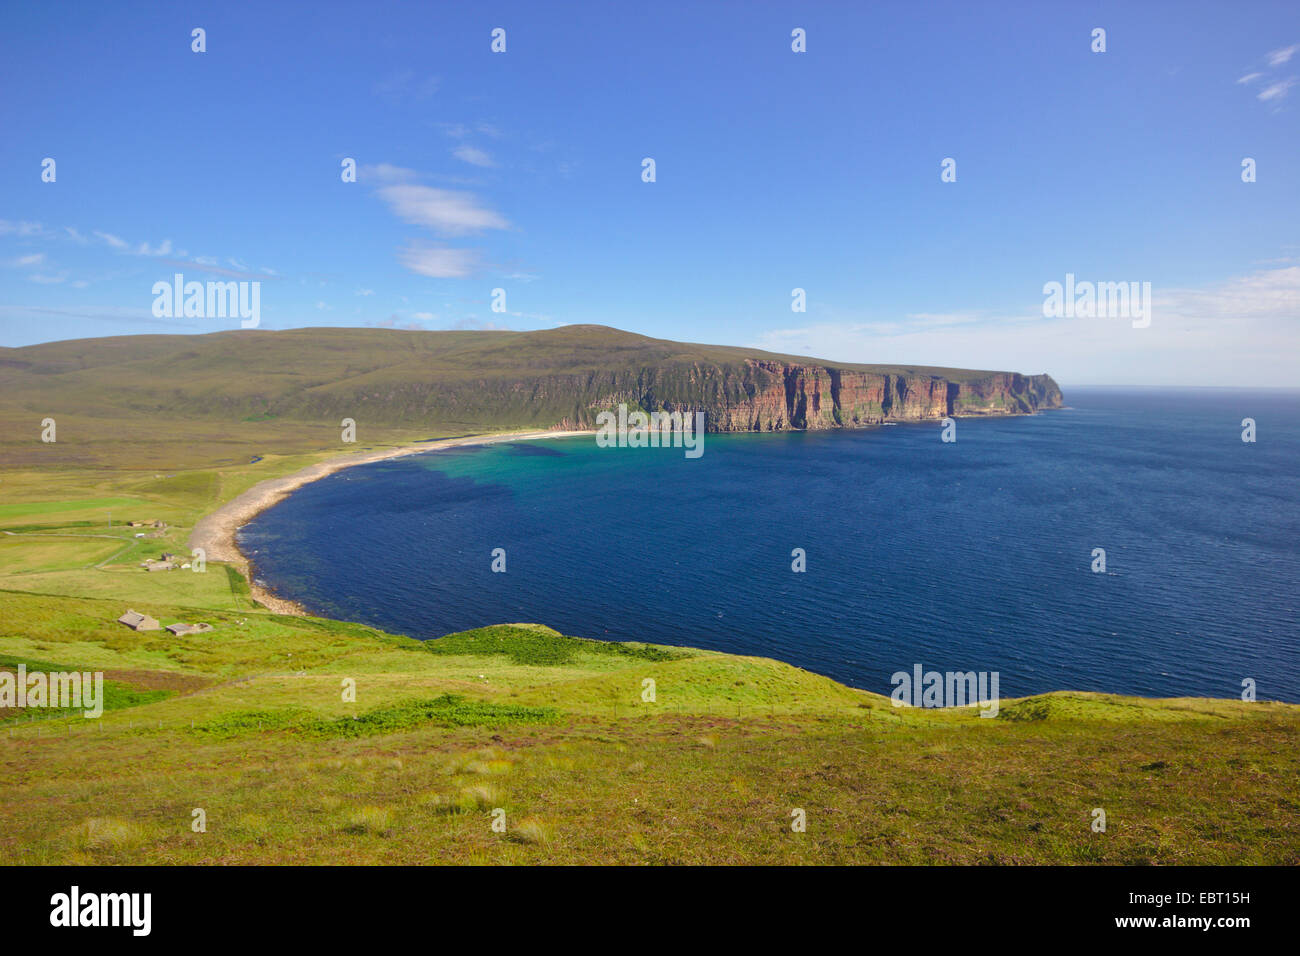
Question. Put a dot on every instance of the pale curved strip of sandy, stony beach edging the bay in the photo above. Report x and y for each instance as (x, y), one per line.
(215, 534)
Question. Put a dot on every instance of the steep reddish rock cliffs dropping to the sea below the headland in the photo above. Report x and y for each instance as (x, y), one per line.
(770, 396)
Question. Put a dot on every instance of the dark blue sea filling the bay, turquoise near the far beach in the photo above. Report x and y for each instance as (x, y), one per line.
(968, 556)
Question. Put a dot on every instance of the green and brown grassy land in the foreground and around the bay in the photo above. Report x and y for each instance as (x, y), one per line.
(522, 726)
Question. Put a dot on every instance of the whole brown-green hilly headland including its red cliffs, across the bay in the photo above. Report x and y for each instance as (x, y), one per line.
(467, 382)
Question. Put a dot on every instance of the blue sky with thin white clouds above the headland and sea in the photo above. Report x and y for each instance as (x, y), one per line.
(775, 171)
